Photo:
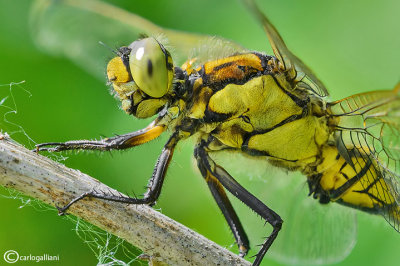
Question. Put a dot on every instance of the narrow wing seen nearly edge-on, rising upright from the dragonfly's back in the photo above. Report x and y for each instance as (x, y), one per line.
(296, 69)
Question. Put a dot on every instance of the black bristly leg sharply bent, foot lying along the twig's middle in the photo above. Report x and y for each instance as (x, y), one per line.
(154, 185)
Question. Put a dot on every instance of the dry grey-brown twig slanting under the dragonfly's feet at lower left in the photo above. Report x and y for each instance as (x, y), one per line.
(155, 234)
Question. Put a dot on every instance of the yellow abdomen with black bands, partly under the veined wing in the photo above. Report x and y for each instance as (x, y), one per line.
(354, 182)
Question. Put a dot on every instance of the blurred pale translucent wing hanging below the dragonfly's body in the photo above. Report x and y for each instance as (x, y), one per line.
(329, 230)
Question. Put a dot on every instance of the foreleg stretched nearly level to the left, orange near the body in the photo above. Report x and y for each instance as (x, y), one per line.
(115, 143)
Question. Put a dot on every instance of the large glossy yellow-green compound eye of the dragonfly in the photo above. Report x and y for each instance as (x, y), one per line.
(151, 67)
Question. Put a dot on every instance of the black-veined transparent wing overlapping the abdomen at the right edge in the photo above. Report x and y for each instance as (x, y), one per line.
(369, 129)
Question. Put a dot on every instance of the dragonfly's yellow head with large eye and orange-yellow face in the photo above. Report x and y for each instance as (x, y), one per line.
(142, 76)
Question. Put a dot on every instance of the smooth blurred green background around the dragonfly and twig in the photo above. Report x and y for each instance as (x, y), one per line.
(353, 46)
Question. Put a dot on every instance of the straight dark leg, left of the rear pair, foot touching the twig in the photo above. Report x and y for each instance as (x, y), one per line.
(226, 207)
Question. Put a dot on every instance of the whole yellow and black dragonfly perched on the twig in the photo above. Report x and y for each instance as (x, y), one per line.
(231, 99)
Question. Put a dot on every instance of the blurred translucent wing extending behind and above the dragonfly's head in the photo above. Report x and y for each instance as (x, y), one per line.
(74, 28)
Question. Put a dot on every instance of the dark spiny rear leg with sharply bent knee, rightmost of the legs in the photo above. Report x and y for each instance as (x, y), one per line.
(216, 171)
